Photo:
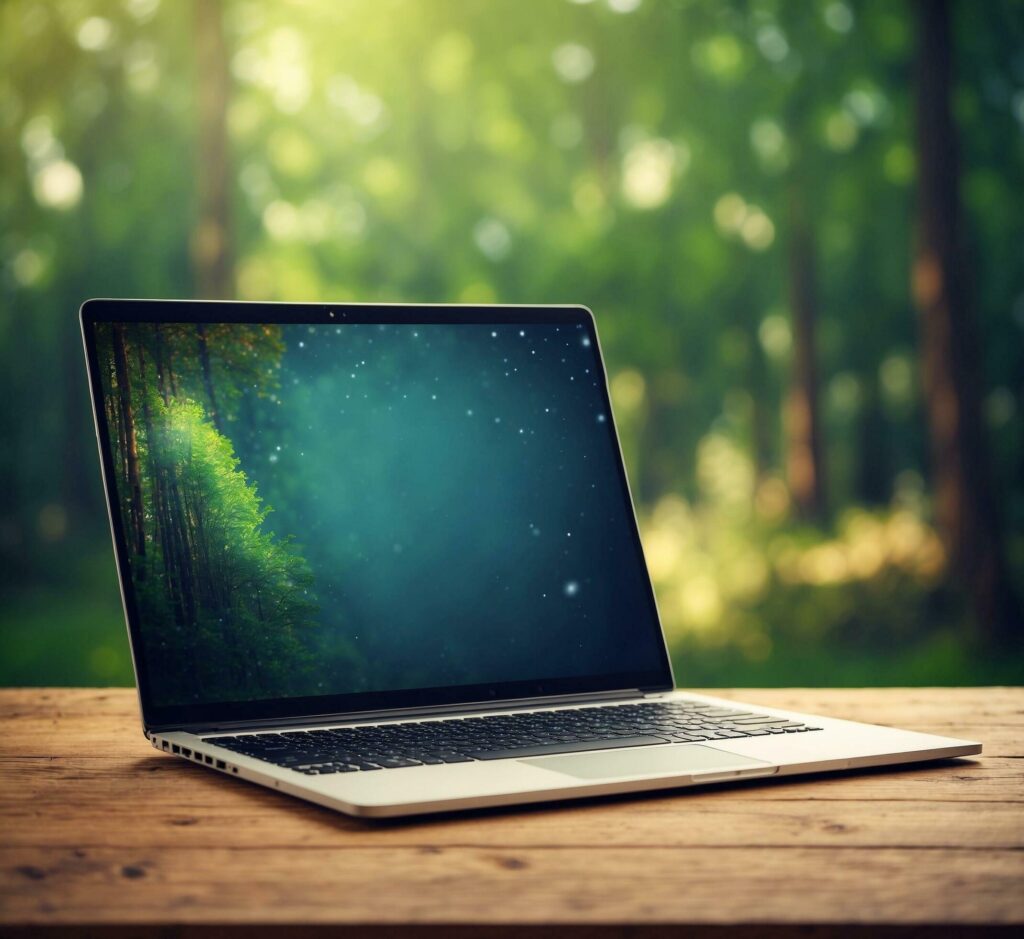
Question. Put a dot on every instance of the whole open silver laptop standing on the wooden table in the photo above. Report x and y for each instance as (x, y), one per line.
(385, 559)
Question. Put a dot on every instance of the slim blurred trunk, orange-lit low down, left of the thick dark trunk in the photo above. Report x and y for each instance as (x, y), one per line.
(804, 457)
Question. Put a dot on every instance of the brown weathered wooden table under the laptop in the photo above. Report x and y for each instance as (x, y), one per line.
(102, 835)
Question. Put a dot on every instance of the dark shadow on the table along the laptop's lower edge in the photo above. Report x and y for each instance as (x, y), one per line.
(340, 821)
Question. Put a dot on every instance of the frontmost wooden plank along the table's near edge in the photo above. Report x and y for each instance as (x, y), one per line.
(527, 886)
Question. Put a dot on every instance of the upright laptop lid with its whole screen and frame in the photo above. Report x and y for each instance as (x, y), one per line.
(322, 510)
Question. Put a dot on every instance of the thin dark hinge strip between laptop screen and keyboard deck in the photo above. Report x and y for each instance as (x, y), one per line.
(400, 713)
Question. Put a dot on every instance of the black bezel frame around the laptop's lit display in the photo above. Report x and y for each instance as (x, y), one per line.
(309, 709)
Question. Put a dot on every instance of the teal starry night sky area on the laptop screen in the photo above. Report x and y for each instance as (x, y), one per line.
(455, 491)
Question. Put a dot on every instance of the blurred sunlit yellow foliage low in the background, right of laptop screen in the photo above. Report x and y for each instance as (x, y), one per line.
(733, 572)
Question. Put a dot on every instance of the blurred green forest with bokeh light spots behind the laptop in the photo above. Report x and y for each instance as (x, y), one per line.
(799, 225)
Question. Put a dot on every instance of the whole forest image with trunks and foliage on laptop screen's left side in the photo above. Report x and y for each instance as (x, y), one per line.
(227, 605)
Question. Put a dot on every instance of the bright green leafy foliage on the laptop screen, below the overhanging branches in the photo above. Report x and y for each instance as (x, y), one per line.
(254, 606)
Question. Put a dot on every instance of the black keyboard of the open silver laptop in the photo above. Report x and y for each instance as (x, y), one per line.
(363, 748)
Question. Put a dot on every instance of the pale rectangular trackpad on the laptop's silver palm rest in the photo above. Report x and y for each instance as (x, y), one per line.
(643, 761)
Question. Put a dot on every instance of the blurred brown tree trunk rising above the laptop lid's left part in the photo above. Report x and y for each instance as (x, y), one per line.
(211, 245)
